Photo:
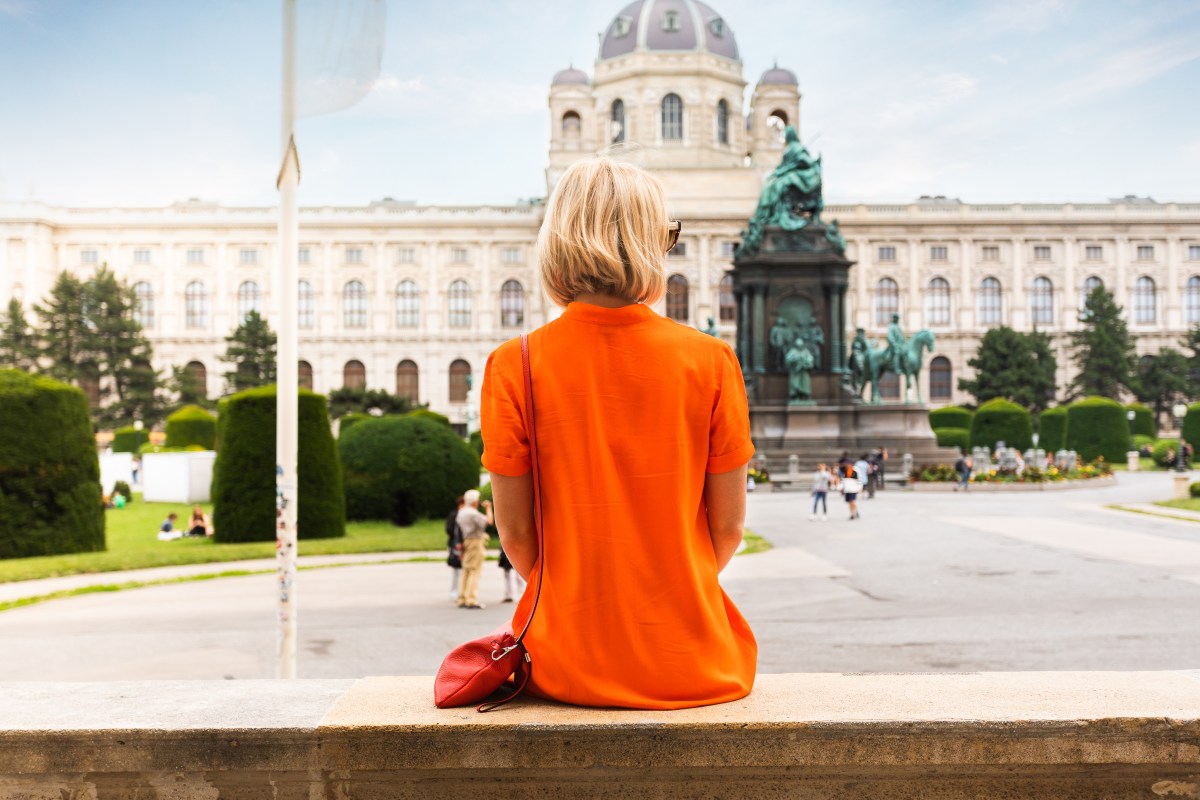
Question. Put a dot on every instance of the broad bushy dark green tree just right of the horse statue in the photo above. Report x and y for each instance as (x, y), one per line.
(1019, 368)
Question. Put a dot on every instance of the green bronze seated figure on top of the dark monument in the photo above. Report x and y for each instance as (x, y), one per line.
(791, 200)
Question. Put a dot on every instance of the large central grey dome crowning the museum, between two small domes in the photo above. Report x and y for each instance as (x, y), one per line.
(668, 27)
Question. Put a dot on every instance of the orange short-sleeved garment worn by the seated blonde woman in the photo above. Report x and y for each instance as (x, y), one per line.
(633, 410)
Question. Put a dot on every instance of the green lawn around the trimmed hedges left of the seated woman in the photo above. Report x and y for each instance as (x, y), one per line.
(133, 545)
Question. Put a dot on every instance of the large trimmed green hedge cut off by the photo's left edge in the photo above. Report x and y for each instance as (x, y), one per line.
(50, 473)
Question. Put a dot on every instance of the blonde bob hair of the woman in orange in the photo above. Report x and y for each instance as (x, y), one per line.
(605, 232)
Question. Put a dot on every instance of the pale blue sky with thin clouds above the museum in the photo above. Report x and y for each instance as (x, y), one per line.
(147, 103)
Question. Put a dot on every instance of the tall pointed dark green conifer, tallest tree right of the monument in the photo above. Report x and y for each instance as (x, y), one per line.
(1103, 350)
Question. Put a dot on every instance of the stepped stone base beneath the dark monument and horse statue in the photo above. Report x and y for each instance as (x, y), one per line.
(823, 432)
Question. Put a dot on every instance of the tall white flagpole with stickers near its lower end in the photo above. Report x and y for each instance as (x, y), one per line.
(287, 396)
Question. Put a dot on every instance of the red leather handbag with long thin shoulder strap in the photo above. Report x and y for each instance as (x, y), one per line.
(477, 670)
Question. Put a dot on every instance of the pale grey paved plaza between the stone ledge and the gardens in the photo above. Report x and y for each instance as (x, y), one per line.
(922, 582)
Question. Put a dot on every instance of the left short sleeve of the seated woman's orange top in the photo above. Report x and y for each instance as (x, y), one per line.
(502, 416)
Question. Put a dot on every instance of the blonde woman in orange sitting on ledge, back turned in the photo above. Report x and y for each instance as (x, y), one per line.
(644, 440)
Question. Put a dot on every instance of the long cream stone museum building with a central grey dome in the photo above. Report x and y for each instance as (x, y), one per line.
(413, 298)
